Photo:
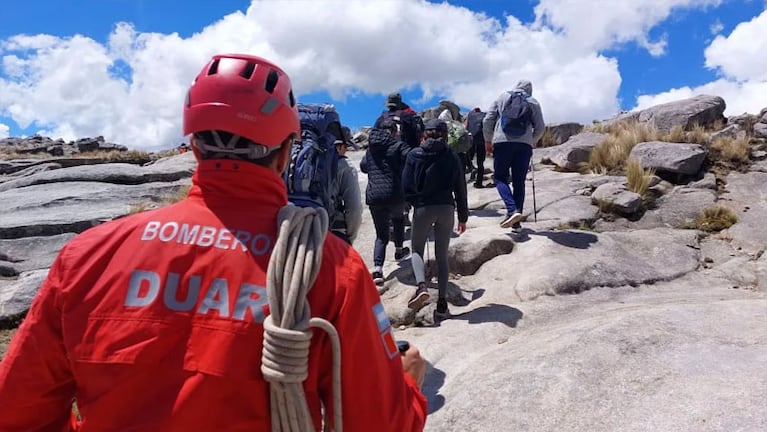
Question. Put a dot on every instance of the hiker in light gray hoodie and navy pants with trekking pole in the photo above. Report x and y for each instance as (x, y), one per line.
(512, 152)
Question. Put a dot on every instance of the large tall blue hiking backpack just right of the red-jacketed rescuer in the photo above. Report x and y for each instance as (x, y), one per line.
(311, 173)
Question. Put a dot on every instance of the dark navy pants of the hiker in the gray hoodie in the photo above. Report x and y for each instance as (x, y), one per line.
(515, 157)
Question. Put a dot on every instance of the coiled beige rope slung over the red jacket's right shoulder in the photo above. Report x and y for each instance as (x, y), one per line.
(292, 270)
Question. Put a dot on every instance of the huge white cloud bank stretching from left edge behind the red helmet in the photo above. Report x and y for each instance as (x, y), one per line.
(131, 88)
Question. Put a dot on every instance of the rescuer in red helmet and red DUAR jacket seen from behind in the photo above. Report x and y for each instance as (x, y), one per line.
(154, 322)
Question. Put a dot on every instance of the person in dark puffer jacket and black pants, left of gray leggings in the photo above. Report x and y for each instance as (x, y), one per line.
(383, 162)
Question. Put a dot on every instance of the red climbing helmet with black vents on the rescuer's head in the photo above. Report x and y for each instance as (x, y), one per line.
(244, 95)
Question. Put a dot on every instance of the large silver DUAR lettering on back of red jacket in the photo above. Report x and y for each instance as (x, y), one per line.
(250, 300)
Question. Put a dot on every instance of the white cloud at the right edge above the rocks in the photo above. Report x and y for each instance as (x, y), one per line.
(739, 58)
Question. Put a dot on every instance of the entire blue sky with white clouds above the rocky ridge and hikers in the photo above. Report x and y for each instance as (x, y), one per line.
(125, 75)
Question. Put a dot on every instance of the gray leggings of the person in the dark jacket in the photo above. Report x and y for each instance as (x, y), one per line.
(441, 217)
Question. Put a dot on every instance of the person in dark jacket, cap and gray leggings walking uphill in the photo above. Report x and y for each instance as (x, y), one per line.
(434, 183)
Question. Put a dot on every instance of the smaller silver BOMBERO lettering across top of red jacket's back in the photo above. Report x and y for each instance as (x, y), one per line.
(207, 236)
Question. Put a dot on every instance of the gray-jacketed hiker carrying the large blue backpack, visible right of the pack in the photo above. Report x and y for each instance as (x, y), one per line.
(347, 216)
